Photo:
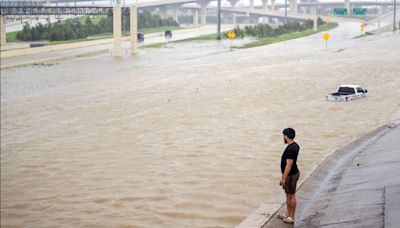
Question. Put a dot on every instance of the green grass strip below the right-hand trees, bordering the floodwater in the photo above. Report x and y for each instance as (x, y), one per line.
(288, 36)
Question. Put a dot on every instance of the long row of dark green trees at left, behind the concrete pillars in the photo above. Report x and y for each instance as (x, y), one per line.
(86, 26)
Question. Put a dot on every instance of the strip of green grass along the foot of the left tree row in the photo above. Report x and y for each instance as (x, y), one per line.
(12, 36)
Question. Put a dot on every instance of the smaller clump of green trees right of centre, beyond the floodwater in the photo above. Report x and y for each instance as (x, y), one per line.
(265, 30)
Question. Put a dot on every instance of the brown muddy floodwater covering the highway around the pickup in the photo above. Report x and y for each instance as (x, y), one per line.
(185, 136)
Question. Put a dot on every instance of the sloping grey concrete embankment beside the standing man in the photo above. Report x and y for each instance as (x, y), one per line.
(358, 186)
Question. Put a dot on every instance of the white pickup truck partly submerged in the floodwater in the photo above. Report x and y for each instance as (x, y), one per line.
(347, 93)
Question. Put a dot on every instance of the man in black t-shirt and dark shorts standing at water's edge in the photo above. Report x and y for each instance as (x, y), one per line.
(290, 174)
